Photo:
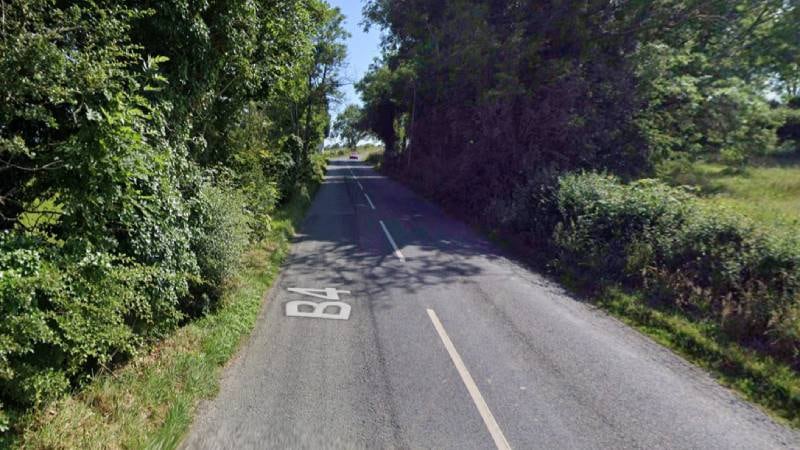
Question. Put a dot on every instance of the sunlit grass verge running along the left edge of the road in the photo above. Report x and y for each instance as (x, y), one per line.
(150, 402)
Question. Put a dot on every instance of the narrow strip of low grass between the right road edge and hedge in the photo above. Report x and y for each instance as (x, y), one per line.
(773, 385)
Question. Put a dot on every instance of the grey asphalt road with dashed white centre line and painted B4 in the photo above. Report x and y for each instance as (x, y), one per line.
(449, 344)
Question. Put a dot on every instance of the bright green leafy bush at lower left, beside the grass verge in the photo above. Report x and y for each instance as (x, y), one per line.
(68, 315)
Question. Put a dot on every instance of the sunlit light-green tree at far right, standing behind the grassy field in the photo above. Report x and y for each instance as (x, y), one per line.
(703, 81)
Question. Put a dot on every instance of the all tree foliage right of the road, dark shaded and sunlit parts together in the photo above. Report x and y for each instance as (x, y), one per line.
(536, 88)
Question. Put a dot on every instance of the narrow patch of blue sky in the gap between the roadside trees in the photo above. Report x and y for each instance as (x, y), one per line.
(362, 48)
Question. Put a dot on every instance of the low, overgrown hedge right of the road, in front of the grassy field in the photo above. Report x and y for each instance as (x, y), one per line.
(707, 260)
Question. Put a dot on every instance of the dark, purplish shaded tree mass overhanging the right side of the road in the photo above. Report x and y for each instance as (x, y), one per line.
(472, 117)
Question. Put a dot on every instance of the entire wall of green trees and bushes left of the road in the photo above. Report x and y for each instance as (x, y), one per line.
(141, 147)
